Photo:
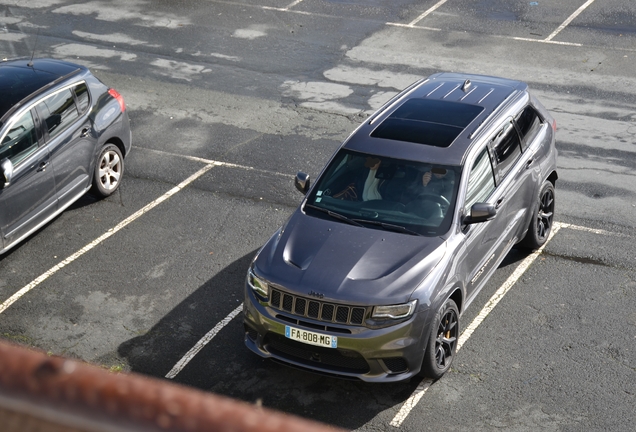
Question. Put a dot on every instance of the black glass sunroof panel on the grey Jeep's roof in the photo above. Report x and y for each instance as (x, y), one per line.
(427, 121)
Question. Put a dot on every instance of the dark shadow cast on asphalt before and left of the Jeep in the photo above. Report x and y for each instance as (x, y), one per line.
(226, 367)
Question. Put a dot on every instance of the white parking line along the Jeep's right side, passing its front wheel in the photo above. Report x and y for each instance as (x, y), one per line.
(412, 401)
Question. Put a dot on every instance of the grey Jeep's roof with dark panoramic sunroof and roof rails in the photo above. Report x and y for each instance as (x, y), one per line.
(435, 120)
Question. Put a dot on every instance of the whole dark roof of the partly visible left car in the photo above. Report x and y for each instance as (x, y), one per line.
(21, 78)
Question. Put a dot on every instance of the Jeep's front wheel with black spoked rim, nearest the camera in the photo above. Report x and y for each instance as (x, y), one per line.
(442, 342)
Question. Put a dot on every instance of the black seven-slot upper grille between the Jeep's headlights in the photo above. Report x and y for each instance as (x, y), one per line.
(322, 311)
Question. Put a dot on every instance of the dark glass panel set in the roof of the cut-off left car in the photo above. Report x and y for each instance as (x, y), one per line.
(16, 83)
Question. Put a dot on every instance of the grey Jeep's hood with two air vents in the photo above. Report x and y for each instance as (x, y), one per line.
(347, 263)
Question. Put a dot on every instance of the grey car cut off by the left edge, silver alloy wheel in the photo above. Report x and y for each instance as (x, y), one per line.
(62, 133)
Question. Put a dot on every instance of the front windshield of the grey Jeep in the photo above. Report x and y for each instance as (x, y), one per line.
(385, 193)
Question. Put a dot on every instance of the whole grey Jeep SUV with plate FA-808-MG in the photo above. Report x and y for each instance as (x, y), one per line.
(369, 277)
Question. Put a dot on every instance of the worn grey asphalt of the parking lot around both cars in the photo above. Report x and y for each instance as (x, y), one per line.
(229, 99)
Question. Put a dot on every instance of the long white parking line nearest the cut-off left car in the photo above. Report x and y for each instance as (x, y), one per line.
(15, 297)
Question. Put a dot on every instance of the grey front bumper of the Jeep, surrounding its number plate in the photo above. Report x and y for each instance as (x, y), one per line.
(375, 355)
